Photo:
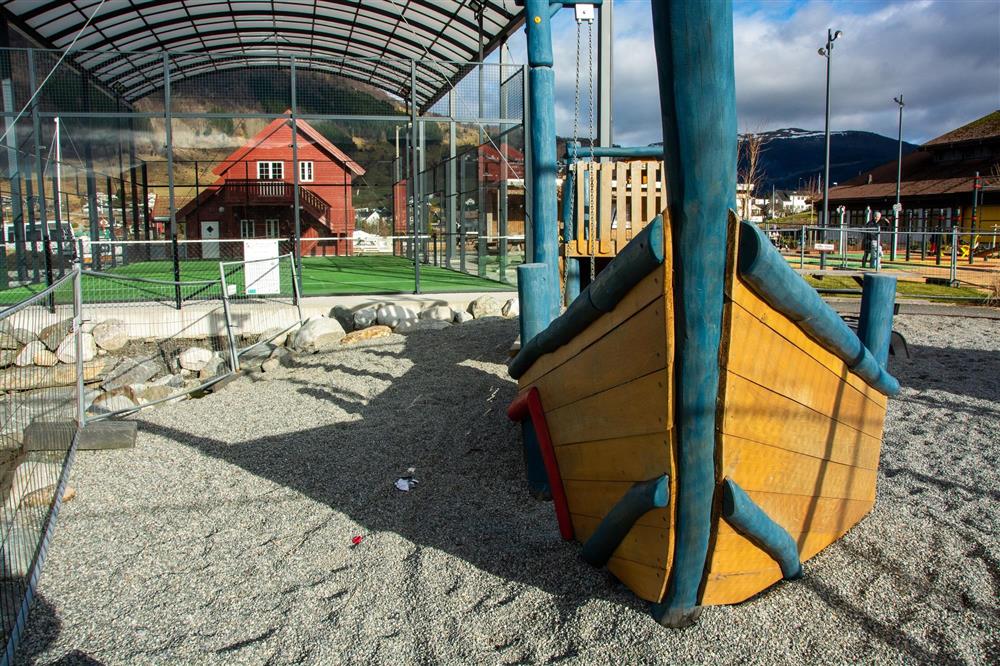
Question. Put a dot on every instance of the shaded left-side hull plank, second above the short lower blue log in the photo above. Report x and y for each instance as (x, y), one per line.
(638, 407)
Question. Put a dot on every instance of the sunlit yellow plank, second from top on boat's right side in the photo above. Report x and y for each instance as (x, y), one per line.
(759, 354)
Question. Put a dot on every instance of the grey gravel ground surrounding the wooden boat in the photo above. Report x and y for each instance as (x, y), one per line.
(226, 535)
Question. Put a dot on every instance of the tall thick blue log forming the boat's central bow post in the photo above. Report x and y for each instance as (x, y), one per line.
(694, 53)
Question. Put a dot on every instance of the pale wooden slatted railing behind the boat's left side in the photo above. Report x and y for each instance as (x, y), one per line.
(623, 196)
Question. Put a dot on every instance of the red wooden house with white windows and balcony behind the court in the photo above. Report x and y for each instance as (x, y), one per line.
(253, 196)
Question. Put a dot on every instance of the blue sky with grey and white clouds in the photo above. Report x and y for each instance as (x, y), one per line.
(943, 55)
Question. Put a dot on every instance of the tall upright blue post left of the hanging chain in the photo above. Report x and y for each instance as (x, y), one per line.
(541, 94)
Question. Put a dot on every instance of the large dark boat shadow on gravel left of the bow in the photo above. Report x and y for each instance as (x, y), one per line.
(448, 420)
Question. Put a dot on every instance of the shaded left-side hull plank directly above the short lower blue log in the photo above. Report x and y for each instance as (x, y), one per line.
(621, 459)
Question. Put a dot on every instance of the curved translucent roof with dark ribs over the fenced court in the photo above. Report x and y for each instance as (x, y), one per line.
(367, 40)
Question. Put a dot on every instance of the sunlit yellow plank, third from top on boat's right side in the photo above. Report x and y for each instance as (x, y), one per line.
(759, 414)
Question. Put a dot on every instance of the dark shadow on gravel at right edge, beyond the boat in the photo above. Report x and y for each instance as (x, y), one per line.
(973, 373)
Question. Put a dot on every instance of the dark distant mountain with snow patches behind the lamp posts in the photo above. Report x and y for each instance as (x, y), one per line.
(791, 155)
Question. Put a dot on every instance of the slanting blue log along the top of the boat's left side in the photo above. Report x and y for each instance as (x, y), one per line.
(642, 254)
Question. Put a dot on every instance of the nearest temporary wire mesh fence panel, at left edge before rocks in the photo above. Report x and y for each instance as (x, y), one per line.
(41, 415)
